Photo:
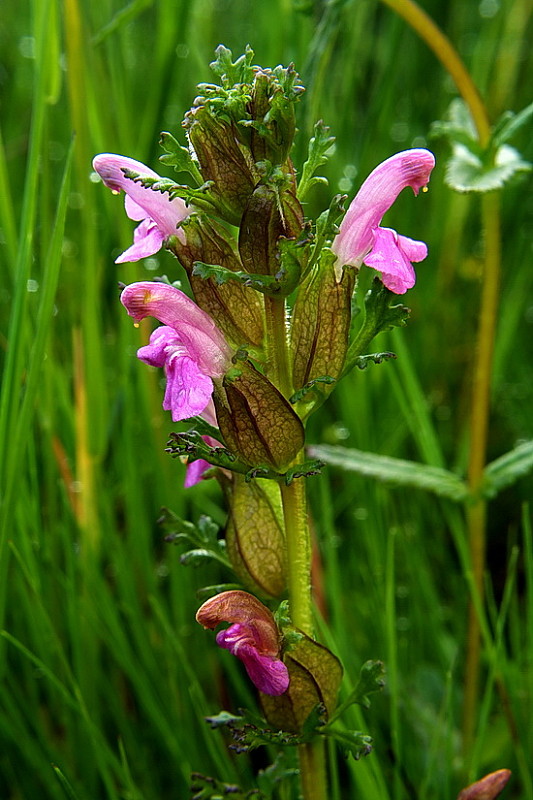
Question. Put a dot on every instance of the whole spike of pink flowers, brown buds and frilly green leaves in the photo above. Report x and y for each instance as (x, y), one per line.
(251, 365)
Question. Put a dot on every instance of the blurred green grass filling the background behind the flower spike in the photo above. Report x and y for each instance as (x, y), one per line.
(104, 672)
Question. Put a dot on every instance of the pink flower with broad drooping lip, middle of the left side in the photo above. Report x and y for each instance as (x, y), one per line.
(188, 345)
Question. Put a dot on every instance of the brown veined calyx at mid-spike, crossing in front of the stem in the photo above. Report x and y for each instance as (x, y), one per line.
(256, 421)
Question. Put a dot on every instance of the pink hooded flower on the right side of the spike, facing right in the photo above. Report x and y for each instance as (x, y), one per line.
(361, 240)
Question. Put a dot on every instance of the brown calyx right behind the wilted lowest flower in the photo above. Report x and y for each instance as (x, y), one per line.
(315, 675)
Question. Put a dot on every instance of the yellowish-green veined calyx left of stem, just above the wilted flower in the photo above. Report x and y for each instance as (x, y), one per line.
(255, 535)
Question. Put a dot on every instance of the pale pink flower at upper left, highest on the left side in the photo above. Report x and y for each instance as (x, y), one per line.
(159, 215)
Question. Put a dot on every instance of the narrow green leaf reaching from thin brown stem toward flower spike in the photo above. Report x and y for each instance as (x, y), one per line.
(394, 470)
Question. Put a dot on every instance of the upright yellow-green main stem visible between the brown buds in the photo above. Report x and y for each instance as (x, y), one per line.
(298, 539)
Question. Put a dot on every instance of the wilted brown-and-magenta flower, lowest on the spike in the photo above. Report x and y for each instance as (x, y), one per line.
(253, 637)
